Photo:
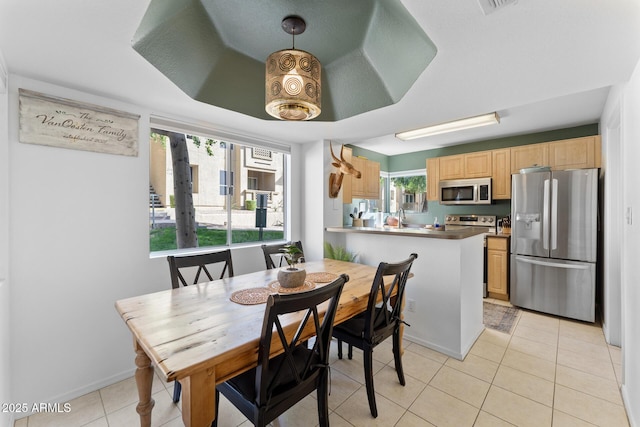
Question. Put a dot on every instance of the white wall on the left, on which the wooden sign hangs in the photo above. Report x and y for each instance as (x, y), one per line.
(78, 239)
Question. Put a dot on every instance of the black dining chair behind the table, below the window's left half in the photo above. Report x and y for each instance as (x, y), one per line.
(180, 264)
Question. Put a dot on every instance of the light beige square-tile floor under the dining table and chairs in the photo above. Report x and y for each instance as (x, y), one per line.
(548, 372)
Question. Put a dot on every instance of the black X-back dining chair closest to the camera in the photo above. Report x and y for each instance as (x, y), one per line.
(276, 384)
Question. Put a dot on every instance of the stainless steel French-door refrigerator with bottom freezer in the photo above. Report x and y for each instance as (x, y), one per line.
(554, 218)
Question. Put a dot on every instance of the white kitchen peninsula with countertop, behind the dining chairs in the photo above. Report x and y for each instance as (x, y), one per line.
(443, 301)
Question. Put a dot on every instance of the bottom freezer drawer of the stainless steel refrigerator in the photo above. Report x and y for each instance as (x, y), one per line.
(563, 288)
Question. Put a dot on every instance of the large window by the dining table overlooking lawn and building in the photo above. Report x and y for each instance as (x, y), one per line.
(227, 179)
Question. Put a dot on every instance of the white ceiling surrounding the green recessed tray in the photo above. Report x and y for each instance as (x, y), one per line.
(542, 65)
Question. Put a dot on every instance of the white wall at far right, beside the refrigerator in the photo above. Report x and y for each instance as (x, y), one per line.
(620, 121)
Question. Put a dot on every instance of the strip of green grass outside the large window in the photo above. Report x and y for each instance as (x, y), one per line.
(164, 239)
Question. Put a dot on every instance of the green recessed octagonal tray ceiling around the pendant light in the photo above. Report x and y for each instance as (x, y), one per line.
(215, 50)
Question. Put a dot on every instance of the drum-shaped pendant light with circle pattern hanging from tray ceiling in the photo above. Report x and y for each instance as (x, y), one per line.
(292, 82)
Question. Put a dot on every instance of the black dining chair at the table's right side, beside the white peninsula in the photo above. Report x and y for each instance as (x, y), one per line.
(381, 320)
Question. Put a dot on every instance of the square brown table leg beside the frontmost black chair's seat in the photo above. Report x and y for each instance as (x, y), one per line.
(199, 399)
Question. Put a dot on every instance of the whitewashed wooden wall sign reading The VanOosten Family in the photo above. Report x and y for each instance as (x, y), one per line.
(59, 122)
